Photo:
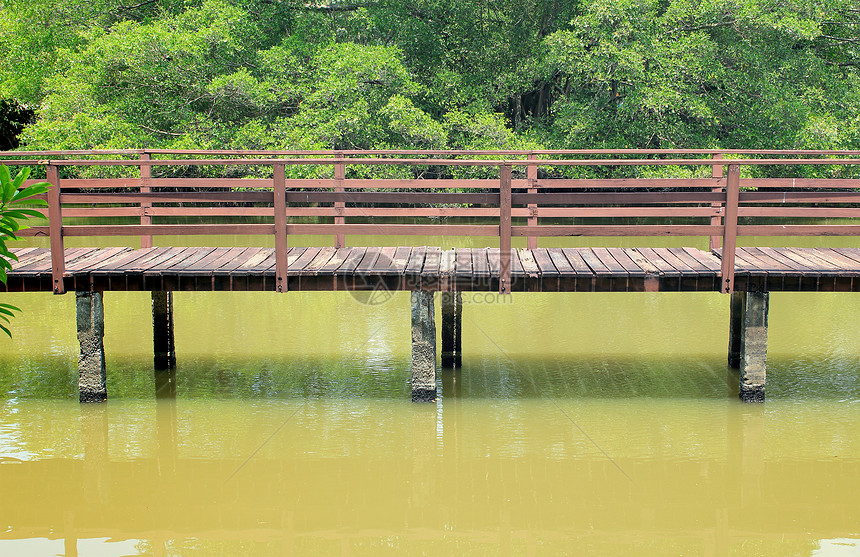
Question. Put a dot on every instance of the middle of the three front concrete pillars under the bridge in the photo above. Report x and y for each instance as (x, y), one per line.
(423, 347)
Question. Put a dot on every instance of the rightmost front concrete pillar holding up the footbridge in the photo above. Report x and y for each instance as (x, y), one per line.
(754, 347)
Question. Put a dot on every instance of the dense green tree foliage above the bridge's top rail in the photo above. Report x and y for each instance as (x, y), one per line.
(434, 74)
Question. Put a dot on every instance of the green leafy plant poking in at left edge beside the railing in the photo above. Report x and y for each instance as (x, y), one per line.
(13, 218)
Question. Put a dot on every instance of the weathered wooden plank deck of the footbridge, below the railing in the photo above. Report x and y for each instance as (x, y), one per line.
(568, 269)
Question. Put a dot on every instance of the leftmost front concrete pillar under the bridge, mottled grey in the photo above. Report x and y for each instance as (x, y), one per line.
(92, 382)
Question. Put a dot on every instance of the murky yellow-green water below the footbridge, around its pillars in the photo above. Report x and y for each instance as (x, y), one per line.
(580, 424)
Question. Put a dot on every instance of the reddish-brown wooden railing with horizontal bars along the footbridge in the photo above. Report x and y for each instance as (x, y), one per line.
(516, 192)
